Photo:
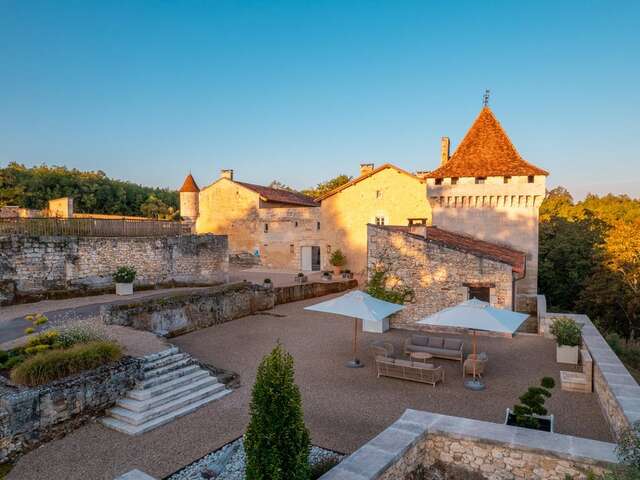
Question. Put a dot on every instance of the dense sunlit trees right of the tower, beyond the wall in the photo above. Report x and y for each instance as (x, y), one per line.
(589, 258)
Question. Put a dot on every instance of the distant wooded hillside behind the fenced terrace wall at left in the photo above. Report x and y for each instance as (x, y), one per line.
(92, 192)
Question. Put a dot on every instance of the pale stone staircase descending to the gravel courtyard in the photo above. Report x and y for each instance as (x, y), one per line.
(173, 385)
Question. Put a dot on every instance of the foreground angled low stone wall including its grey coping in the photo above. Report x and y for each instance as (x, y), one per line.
(482, 449)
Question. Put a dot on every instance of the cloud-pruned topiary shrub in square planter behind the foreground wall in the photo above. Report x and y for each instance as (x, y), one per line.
(530, 413)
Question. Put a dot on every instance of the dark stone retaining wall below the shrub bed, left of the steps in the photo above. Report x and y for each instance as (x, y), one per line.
(32, 416)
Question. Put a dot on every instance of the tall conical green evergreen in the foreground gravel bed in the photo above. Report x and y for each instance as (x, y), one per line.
(277, 440)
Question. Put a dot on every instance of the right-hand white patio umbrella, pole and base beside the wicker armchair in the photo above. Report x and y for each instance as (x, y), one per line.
(476, 315)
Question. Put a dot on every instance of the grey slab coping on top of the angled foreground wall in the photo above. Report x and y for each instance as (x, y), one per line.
(378, 455)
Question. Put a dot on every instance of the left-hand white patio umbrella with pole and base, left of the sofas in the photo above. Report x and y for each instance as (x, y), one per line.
(358, 305)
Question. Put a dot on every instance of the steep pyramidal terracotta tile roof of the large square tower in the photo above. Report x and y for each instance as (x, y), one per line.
(486, 151)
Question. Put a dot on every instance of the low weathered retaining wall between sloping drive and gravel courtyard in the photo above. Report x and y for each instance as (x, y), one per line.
(184, 312)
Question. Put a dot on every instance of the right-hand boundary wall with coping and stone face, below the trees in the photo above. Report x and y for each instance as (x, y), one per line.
(618, 392)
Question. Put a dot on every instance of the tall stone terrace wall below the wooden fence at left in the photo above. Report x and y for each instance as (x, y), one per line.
(43, 266)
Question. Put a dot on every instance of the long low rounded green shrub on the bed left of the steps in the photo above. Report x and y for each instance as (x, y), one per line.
(54, 364)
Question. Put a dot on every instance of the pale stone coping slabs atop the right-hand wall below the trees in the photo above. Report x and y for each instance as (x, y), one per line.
(624, 389)
